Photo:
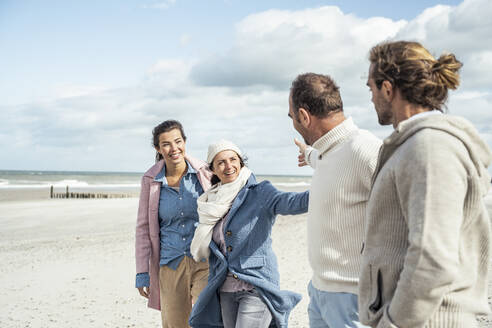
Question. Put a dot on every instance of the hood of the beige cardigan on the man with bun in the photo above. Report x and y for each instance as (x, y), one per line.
(479, 151)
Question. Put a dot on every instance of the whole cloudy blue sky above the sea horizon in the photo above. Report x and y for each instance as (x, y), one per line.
(82, 83)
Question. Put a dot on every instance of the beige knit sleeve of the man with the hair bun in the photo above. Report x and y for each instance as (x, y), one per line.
(431, 182)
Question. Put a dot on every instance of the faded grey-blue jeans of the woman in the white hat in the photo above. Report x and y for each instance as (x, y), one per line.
(244, 309)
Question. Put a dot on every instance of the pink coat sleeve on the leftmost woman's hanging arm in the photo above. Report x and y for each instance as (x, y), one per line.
(142, 237)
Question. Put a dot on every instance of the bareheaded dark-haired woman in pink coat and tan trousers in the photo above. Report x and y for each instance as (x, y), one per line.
(167, 216)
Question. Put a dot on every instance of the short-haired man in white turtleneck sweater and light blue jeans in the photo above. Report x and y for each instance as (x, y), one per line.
(344, 158)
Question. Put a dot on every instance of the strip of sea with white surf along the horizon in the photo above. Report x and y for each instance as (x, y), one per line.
(36, 182)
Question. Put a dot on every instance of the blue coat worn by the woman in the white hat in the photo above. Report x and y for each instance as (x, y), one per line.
(249, 254)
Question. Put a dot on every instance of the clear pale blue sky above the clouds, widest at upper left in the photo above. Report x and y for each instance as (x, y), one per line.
(46, 44)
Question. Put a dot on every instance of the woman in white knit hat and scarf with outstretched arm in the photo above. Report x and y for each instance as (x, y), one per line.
(236, 219)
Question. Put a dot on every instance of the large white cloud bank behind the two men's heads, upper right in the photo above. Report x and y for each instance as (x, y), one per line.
(274, 46)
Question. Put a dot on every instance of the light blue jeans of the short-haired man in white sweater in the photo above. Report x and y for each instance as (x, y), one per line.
(332, 310)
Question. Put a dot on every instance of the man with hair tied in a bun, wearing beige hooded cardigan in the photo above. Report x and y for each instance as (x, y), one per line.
(427, 244)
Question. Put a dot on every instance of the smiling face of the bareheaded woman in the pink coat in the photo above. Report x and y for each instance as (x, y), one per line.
(171, 147)
